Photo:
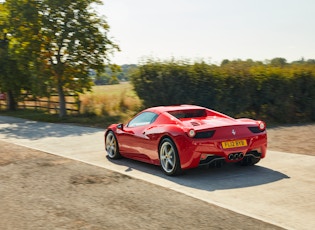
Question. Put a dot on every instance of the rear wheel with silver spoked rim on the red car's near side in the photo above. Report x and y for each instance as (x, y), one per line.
(169, 159)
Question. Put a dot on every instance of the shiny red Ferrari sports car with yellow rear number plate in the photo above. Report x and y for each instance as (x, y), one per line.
(186, 136)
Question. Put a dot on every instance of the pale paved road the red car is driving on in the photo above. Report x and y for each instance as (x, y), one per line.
(279, 190)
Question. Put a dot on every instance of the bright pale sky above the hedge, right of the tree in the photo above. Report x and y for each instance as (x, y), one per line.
(211, 30)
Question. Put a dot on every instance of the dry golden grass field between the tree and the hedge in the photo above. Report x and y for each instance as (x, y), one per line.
(112, 100)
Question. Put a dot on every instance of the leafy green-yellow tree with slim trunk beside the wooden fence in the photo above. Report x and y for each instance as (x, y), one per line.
(66, 39)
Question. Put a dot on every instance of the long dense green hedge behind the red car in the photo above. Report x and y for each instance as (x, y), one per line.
(283, 94)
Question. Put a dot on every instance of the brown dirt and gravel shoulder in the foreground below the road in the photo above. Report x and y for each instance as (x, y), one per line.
(43, 191)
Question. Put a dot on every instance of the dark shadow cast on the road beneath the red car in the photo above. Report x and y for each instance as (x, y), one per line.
(229, 176)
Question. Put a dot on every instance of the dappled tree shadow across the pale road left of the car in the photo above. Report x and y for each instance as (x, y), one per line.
(25, 129)
